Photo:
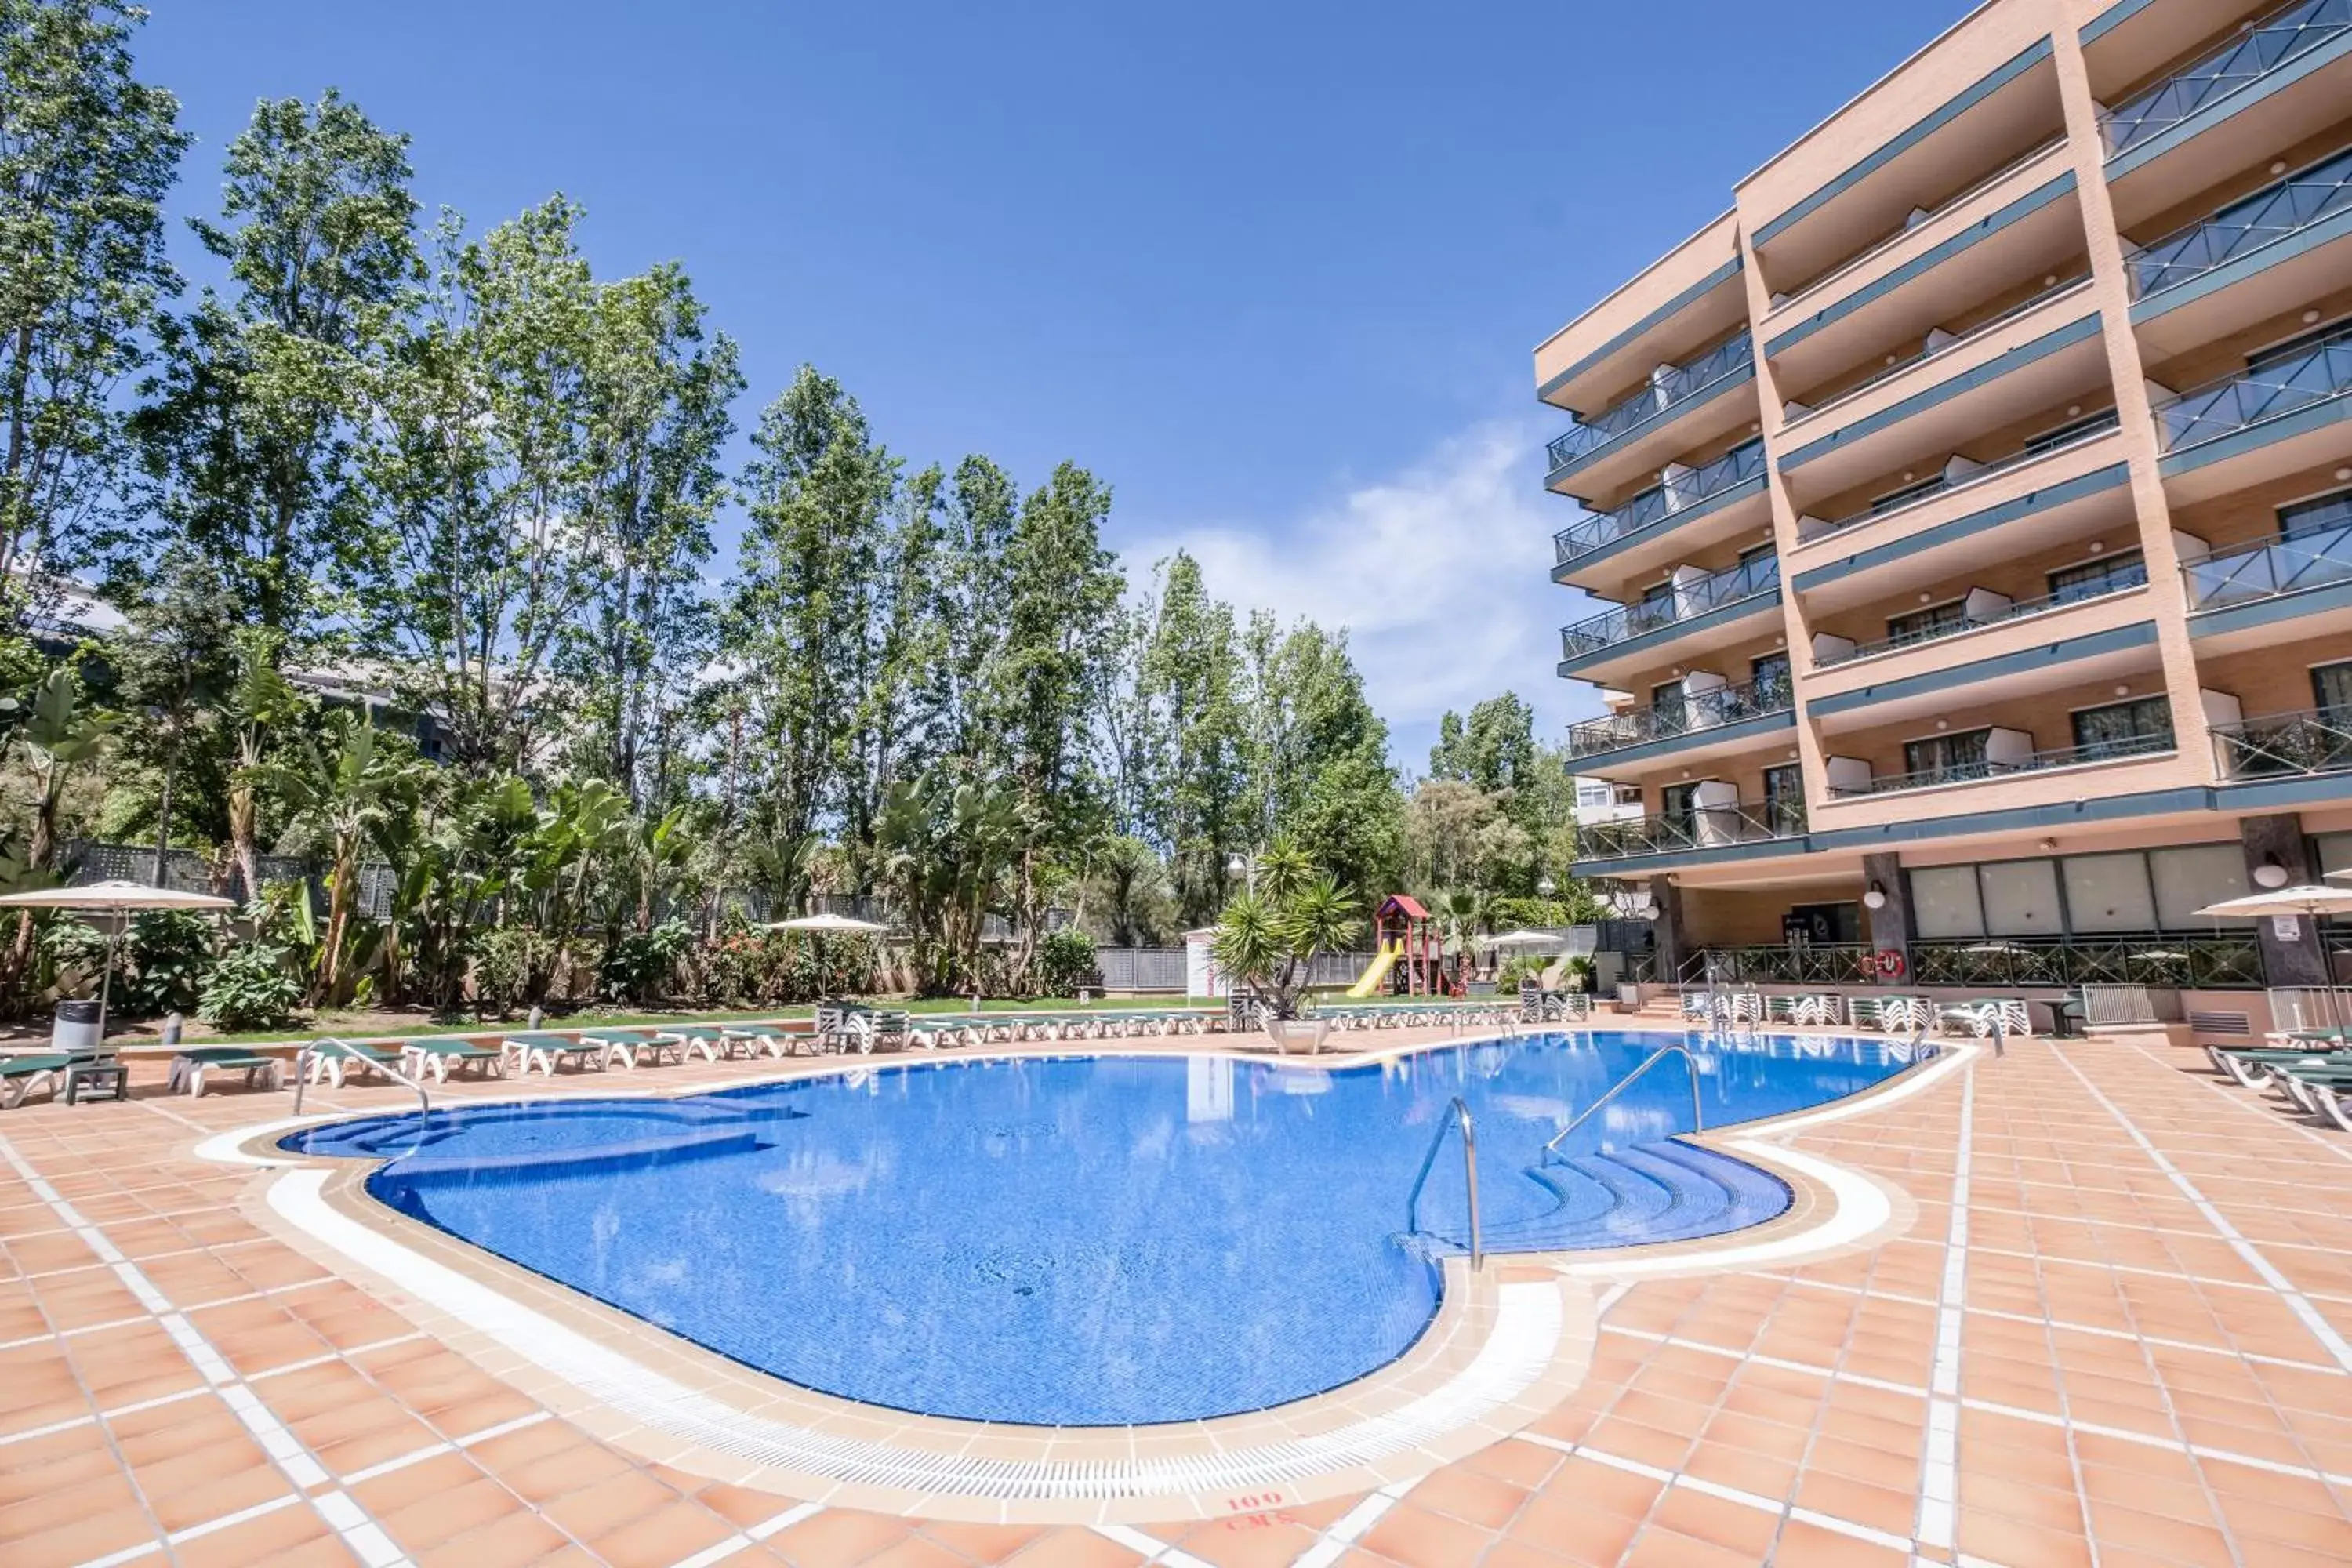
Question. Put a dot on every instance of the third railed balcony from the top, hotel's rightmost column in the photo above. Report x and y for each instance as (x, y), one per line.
(2264, 424)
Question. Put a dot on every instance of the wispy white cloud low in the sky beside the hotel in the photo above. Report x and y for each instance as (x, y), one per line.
(1441, 577)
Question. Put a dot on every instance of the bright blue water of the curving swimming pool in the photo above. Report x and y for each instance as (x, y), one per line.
(1090, 1240)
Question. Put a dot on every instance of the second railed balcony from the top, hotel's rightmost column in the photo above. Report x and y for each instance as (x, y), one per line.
(2224, 274)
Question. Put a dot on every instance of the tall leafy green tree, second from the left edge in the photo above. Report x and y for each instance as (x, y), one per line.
(250, 436)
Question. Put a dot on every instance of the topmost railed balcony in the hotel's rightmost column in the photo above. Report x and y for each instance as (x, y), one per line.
(2259, 93)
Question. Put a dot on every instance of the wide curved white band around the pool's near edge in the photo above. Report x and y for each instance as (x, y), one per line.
(1516, 1355)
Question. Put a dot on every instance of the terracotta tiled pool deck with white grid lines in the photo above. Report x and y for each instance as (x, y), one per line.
(2113, 1329)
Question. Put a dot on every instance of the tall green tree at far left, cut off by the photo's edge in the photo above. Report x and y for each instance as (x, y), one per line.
(88, 156)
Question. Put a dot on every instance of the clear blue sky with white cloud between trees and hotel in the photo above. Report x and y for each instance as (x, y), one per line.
(1269, 269)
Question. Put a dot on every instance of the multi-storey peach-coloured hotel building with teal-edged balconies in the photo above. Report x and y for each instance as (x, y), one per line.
(1972, 507)
